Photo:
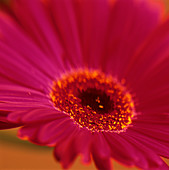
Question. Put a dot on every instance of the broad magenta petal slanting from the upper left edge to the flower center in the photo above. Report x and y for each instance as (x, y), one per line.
(40, 68)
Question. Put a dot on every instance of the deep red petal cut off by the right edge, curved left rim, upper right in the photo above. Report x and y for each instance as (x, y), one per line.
(151, 58)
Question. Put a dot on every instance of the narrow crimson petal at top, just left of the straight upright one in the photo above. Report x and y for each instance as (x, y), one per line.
(65, 17)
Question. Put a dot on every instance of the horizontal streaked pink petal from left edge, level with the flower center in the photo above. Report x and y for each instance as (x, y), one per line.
(18, 98)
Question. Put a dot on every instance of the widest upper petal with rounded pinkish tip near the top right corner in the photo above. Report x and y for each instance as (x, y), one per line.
(123, 39)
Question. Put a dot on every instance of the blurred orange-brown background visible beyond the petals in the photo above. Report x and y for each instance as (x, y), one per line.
(16, 154)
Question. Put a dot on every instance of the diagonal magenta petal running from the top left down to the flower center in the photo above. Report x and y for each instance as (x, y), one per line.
(35, 22)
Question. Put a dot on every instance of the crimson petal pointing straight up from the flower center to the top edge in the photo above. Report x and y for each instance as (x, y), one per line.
(92, 21)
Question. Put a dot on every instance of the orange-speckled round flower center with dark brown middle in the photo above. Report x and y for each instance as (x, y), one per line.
(93, 100)
